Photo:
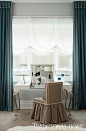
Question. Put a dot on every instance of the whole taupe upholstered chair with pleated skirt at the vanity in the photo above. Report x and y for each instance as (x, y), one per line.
(50, 109)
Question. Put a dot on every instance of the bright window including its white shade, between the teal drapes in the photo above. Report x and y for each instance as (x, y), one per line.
(43, 35)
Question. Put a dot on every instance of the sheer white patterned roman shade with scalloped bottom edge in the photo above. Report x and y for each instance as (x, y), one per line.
(42, 34)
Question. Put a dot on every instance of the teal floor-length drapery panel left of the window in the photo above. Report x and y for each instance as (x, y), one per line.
(6, 57)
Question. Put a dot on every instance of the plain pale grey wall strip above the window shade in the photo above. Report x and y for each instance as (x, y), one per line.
(59, 9)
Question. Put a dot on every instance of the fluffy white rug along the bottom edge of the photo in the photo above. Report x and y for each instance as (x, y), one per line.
(47, 128)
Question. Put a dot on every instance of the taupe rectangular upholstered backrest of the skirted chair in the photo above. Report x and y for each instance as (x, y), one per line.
(53, 92)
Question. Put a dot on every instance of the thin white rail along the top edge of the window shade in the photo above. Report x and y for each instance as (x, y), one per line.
(42, 16)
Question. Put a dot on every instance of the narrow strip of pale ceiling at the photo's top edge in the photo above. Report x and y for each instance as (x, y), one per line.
(42, 1)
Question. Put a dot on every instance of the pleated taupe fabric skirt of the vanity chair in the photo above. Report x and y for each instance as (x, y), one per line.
(48, 113)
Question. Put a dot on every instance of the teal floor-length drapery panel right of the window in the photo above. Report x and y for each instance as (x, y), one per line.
(79, 56)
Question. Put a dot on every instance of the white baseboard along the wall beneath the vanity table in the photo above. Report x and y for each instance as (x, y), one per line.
(28, 104)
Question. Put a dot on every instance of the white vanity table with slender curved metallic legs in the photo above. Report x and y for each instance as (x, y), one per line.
(18, 87)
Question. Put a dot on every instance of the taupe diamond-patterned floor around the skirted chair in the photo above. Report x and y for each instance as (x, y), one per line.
(9, 120)
